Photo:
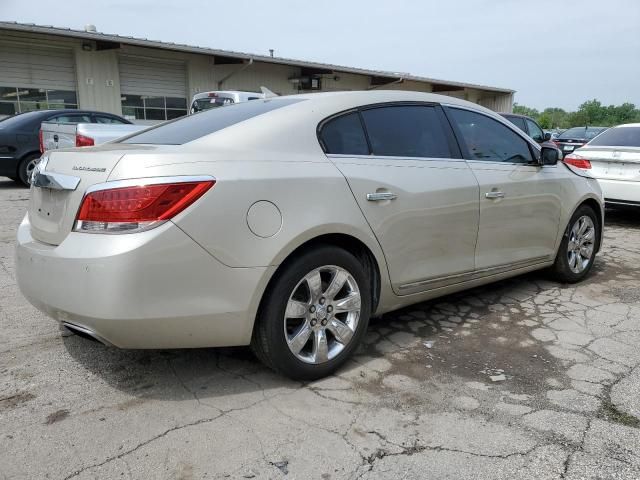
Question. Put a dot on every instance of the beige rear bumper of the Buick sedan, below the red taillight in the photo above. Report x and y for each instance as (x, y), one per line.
(155, 289)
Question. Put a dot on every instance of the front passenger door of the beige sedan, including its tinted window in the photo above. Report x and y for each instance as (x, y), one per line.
(520, 201)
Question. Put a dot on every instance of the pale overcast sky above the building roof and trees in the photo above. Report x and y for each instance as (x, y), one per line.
(552, 52)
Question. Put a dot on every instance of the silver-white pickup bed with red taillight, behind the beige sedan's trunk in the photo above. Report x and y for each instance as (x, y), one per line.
(55, 135)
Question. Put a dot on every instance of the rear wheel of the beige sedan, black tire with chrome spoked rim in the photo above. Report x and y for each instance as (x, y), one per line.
(314, 315)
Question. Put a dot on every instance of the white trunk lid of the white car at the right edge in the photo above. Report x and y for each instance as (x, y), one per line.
(613, 163)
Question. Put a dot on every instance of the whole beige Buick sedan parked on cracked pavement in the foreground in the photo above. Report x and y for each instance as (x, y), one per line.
(285, 223)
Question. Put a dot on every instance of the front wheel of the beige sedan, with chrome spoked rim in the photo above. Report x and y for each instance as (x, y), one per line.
(577, 250)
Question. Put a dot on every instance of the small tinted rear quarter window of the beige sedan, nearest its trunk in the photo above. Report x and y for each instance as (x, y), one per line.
(344, 135)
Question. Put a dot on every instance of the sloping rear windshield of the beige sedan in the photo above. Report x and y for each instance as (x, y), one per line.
(187, 129)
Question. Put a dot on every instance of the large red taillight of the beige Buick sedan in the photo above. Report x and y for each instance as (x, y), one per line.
(138, 207)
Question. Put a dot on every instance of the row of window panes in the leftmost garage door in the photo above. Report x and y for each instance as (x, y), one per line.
(17, 99)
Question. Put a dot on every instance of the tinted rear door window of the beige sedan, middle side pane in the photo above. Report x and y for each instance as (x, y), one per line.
(406, 131)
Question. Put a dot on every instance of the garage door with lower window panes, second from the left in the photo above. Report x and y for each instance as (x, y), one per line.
(152, 90)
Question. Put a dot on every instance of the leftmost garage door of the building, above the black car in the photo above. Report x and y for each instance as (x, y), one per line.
(32, 78)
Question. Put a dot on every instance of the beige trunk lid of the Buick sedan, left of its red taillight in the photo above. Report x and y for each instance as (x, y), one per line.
(52, 211)
